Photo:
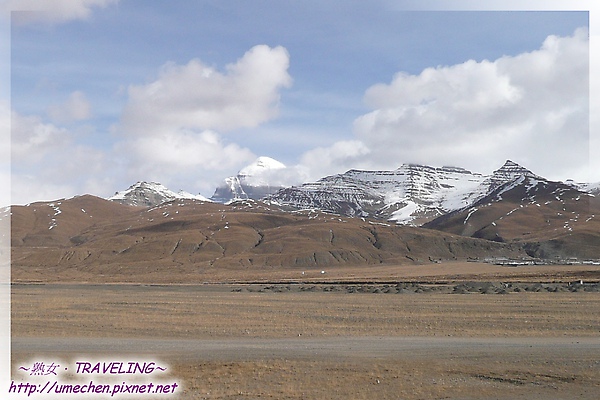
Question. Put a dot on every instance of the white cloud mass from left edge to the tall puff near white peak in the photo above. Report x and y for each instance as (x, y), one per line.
(167, 131)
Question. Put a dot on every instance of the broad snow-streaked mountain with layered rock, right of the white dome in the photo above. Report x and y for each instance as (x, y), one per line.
(412, 194)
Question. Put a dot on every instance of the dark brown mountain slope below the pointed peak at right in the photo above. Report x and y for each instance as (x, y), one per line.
(553, 218)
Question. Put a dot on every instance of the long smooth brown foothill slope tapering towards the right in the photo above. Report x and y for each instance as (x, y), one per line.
(188, 241)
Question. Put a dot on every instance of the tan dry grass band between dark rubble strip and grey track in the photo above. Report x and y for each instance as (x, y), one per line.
(209, 312)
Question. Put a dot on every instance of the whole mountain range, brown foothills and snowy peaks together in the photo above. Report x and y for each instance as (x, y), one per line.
(415, 214)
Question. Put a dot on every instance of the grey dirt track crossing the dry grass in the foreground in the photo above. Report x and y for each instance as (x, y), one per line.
(380, 347)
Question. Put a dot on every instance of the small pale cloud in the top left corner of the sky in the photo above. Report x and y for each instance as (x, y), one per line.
(52, 12)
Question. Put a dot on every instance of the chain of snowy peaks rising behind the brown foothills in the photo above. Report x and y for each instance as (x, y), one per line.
(411, 195)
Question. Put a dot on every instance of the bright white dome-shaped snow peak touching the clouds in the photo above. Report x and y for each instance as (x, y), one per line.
(255, 181)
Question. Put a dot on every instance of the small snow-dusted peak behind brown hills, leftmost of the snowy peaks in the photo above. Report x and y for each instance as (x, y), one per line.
(149, 194)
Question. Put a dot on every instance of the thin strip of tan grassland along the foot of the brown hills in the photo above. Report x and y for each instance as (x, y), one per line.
(446, 271)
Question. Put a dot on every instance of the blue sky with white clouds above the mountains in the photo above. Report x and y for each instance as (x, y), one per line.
(104, 93)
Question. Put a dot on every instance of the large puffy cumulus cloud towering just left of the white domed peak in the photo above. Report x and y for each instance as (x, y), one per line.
(172, 128)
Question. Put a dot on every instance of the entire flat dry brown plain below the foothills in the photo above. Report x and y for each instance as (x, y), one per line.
(445, 335)
